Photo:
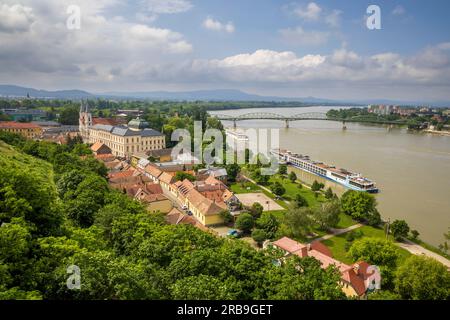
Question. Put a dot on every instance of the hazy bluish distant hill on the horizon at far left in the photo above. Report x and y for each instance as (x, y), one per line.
(16, 91)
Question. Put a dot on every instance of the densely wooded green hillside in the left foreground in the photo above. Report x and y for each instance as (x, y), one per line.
(56, 210)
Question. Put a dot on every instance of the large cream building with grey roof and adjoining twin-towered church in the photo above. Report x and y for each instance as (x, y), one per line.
(124, 141)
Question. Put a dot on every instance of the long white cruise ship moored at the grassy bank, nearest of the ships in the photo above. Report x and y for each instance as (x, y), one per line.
(351, 180)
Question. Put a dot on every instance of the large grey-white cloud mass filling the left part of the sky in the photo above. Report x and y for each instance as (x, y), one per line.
(93, 54)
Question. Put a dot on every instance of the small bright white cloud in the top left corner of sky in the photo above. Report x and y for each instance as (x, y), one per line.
(15, 18)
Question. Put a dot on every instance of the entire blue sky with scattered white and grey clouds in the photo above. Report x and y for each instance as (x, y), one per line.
(290, 48)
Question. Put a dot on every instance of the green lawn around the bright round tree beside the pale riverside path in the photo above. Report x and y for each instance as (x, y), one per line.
(337, 244)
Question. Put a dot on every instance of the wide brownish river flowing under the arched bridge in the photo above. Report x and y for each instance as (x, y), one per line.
(412, 170)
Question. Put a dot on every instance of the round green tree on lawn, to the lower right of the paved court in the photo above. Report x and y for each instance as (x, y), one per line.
(297, 222)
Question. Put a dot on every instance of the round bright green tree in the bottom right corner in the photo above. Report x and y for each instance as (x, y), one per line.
(423, 278)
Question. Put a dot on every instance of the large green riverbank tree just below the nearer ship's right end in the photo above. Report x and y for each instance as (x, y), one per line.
(360, 206)
